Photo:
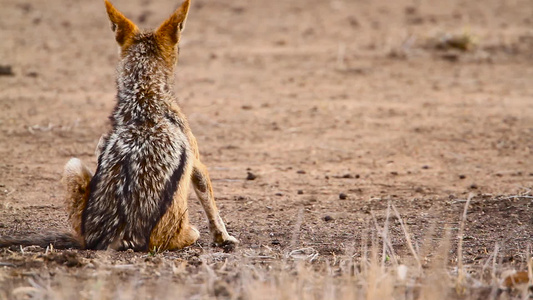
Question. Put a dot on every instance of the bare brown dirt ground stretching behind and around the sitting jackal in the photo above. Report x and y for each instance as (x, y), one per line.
(336, 108)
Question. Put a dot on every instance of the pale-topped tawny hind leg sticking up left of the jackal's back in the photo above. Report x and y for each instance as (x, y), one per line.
(76, 178)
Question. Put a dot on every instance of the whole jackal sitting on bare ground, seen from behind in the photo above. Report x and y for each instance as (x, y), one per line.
(137, 198)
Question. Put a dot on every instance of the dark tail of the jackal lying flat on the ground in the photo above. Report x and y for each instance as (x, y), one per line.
(57, 240)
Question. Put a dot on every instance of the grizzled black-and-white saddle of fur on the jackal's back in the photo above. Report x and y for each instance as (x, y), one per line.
(137, 176)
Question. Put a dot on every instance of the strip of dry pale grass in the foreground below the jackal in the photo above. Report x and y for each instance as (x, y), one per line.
(371, 270)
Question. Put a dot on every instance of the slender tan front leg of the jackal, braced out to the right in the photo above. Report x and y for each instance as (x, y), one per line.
(204, 191)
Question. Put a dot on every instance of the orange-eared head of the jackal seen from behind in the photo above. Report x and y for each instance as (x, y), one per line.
(162, 42)
